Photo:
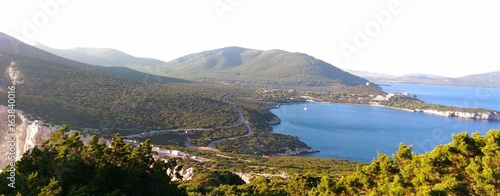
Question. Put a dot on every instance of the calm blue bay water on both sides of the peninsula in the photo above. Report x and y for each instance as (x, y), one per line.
(358, 132)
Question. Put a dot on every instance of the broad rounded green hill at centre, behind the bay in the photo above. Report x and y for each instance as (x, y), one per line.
(272, 68)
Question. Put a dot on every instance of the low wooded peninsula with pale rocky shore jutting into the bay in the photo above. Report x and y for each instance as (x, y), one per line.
(371, 94)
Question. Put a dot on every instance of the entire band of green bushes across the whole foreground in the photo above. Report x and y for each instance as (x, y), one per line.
(64, 165)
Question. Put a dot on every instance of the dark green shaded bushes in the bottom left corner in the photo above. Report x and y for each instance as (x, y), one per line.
(63, 165)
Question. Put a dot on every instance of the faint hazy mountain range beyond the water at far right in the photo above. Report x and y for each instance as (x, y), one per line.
(488, 80)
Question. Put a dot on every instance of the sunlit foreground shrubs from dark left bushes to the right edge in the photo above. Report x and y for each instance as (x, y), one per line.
(469, 165)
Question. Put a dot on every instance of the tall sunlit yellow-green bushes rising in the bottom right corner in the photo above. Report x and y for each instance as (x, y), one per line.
(469, 165)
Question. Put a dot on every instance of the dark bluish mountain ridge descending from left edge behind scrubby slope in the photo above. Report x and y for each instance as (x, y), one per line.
(11, 45)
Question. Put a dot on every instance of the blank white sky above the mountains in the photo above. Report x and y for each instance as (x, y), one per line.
(446, 37)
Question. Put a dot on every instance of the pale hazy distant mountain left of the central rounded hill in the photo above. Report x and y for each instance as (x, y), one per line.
(100, 56)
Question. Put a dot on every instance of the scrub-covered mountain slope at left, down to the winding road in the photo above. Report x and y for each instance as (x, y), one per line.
(63, 91)
